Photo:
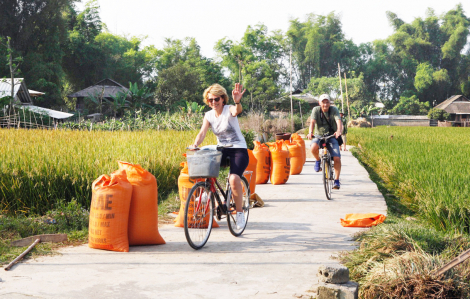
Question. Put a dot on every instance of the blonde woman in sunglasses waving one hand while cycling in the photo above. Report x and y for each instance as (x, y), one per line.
(224, 122)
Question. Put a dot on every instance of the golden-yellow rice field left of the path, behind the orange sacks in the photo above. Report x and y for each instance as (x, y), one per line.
(40, 167)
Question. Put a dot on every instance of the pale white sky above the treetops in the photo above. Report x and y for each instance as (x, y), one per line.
(209, 20)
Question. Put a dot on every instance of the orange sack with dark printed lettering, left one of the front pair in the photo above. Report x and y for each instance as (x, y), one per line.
(109, 212)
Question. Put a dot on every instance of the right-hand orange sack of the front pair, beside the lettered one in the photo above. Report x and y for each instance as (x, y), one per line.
(143, 213)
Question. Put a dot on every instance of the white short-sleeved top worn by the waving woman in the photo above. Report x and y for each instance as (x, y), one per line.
(226, 128)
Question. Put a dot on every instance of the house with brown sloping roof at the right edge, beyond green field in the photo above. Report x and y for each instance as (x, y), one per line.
(458, 107)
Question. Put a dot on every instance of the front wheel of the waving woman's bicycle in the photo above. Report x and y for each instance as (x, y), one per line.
(198, 215)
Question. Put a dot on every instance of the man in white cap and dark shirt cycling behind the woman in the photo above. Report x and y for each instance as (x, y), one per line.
(325, 119)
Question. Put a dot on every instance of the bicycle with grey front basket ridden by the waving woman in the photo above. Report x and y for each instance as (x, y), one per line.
(200, 205)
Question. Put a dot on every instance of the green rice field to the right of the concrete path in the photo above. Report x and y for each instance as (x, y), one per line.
(427, 167)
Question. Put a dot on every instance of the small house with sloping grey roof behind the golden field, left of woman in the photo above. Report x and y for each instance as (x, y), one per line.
(106, 88)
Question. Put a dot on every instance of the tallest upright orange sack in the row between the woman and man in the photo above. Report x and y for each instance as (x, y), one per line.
(280, 164)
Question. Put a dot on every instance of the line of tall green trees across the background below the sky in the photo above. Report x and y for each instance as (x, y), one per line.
(63, 50)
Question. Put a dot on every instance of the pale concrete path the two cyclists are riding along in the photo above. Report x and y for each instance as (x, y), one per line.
(276, 257)
